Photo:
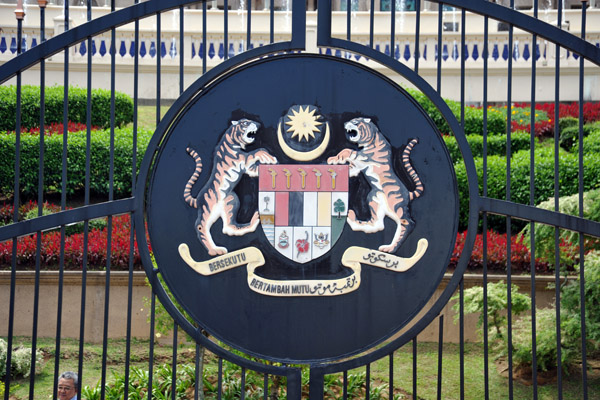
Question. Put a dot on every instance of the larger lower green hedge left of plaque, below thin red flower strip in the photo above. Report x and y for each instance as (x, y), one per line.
(76, 153)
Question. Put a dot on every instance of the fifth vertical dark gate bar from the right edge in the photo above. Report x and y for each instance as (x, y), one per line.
(486, 374)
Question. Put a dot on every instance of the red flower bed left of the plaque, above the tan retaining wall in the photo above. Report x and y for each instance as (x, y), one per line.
(97, 249)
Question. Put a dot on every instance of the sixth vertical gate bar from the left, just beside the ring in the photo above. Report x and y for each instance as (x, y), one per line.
(136, 37)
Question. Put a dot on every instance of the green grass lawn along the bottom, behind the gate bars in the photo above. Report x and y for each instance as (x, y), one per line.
(427, 372)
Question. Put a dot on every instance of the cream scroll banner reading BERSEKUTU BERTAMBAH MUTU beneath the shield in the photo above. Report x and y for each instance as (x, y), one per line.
(253, 258)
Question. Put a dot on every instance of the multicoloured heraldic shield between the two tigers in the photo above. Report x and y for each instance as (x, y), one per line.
(303, 207)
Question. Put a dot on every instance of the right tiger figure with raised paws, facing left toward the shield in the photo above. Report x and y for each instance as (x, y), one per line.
(388, 197)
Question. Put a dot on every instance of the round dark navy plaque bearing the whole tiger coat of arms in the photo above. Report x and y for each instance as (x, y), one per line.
(302, 208)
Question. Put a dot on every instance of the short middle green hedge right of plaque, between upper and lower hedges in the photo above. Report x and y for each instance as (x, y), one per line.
(496, 144)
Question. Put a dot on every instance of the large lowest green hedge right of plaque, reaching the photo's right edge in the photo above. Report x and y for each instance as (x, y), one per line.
(544, 179)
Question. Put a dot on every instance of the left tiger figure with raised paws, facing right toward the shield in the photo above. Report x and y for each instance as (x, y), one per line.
(217, 198)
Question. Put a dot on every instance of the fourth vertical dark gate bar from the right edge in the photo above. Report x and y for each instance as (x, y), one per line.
(508, 196)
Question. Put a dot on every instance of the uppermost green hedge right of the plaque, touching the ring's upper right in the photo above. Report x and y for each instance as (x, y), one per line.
(496, 120)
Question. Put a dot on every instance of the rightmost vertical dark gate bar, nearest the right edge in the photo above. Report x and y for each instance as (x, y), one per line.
(581, 189)
